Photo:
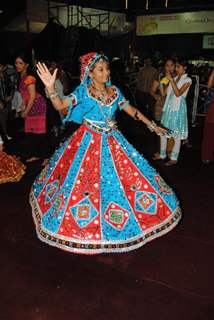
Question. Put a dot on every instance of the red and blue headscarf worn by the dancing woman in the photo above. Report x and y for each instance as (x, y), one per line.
(87, 63)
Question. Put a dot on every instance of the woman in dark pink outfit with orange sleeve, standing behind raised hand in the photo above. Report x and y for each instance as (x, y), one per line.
(33, 111)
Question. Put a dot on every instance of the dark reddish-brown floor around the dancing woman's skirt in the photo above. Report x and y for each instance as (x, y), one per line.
(169, 278)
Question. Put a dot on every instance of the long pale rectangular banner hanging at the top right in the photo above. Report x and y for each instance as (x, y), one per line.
(188, 22)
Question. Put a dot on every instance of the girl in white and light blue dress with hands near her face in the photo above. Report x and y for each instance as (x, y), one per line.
(174, 115)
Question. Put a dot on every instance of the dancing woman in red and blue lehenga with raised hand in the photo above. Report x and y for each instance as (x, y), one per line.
(97, 194)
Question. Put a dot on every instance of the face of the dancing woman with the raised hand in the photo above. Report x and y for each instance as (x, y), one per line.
(100, 73)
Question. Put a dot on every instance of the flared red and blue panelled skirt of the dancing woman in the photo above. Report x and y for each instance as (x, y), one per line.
(98, 194)
